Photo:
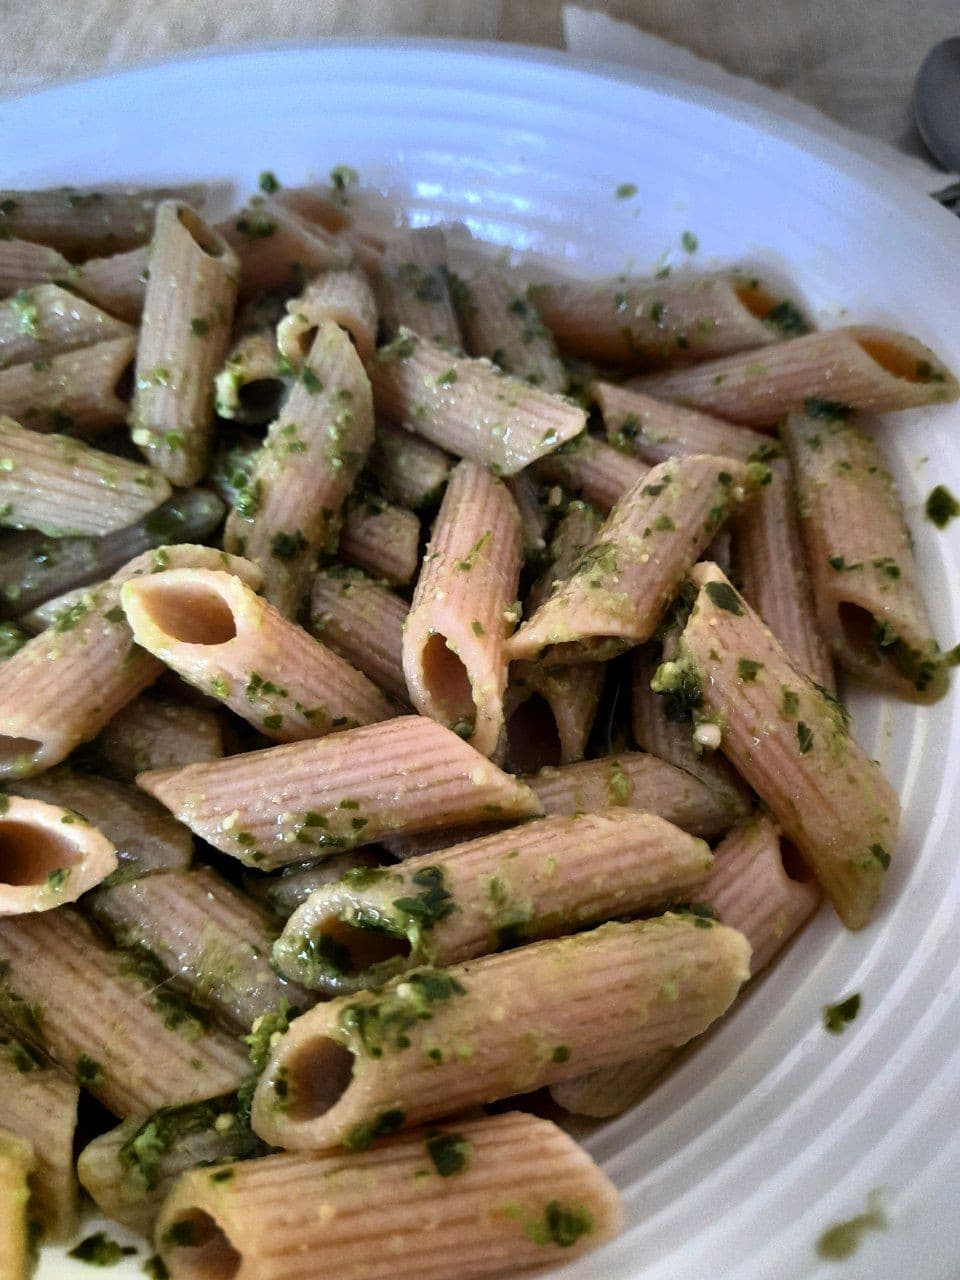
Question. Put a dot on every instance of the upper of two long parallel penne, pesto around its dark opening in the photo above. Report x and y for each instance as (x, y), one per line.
(542, 880)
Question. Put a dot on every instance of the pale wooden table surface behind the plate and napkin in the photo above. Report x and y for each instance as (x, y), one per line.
(854, 60)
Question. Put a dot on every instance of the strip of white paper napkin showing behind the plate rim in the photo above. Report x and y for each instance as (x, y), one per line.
(596, 36)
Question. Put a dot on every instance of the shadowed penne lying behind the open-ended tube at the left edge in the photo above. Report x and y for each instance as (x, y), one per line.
(145, 836)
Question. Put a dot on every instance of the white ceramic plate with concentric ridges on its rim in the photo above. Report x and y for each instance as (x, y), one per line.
(774, 1130)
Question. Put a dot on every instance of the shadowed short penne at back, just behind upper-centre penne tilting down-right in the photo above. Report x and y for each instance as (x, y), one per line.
(502, 323)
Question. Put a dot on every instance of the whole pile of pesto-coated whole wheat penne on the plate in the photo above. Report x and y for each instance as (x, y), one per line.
(316, 844)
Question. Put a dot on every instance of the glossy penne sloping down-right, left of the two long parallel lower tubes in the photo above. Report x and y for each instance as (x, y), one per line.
(212, 940)
